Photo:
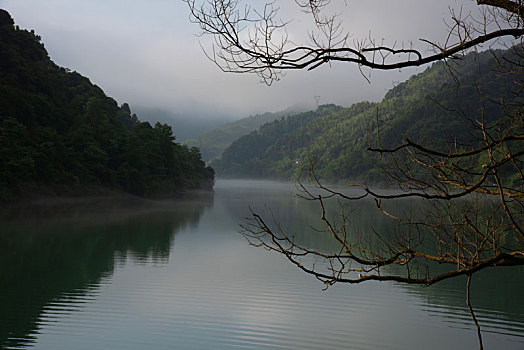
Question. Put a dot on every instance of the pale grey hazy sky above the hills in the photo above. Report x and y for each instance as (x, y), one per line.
(145, 52)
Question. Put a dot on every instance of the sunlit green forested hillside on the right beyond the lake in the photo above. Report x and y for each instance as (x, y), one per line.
(434, 108)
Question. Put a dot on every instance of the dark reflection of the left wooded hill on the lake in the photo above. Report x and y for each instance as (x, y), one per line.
(49, 252)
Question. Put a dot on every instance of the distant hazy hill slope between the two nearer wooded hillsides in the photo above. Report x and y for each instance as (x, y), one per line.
(213, 143)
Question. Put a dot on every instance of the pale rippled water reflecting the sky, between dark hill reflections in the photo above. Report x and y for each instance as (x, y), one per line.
(216, 292)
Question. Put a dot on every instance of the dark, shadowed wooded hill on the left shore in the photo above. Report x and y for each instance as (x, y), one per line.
(61, 134)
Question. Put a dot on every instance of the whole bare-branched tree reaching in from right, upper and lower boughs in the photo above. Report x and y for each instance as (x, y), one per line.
(472, 187)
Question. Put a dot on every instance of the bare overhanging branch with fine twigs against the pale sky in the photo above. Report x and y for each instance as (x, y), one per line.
(248, 40)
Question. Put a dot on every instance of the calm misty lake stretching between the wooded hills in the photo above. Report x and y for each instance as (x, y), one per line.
(138, 274)
